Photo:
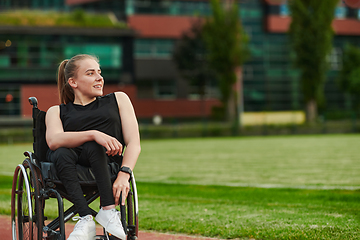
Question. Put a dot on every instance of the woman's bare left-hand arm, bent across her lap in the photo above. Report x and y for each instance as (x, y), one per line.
(56, 137)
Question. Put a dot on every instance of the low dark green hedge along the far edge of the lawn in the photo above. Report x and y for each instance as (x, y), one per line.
(190, 130)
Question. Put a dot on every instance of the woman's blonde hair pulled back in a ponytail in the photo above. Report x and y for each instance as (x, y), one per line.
(68, 69)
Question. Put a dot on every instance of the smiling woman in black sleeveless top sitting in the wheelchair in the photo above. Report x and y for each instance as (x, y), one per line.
(91, 130)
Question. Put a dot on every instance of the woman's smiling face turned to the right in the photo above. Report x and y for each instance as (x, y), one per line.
(88, 81)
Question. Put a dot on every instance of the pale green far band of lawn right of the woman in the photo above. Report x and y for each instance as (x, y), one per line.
(326, 160)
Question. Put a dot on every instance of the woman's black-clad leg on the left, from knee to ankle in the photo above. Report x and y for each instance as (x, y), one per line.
(65, 160)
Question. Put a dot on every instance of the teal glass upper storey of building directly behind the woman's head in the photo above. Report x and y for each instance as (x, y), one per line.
(34, 58)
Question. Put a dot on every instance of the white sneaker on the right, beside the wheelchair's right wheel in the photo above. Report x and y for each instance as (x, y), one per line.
(110, 220)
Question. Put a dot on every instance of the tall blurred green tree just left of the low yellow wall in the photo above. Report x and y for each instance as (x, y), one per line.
(226, 47)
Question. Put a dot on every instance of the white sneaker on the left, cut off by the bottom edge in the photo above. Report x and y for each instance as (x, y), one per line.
(84, 229)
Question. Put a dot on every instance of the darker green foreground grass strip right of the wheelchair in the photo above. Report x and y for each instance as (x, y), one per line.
(260, 213)
